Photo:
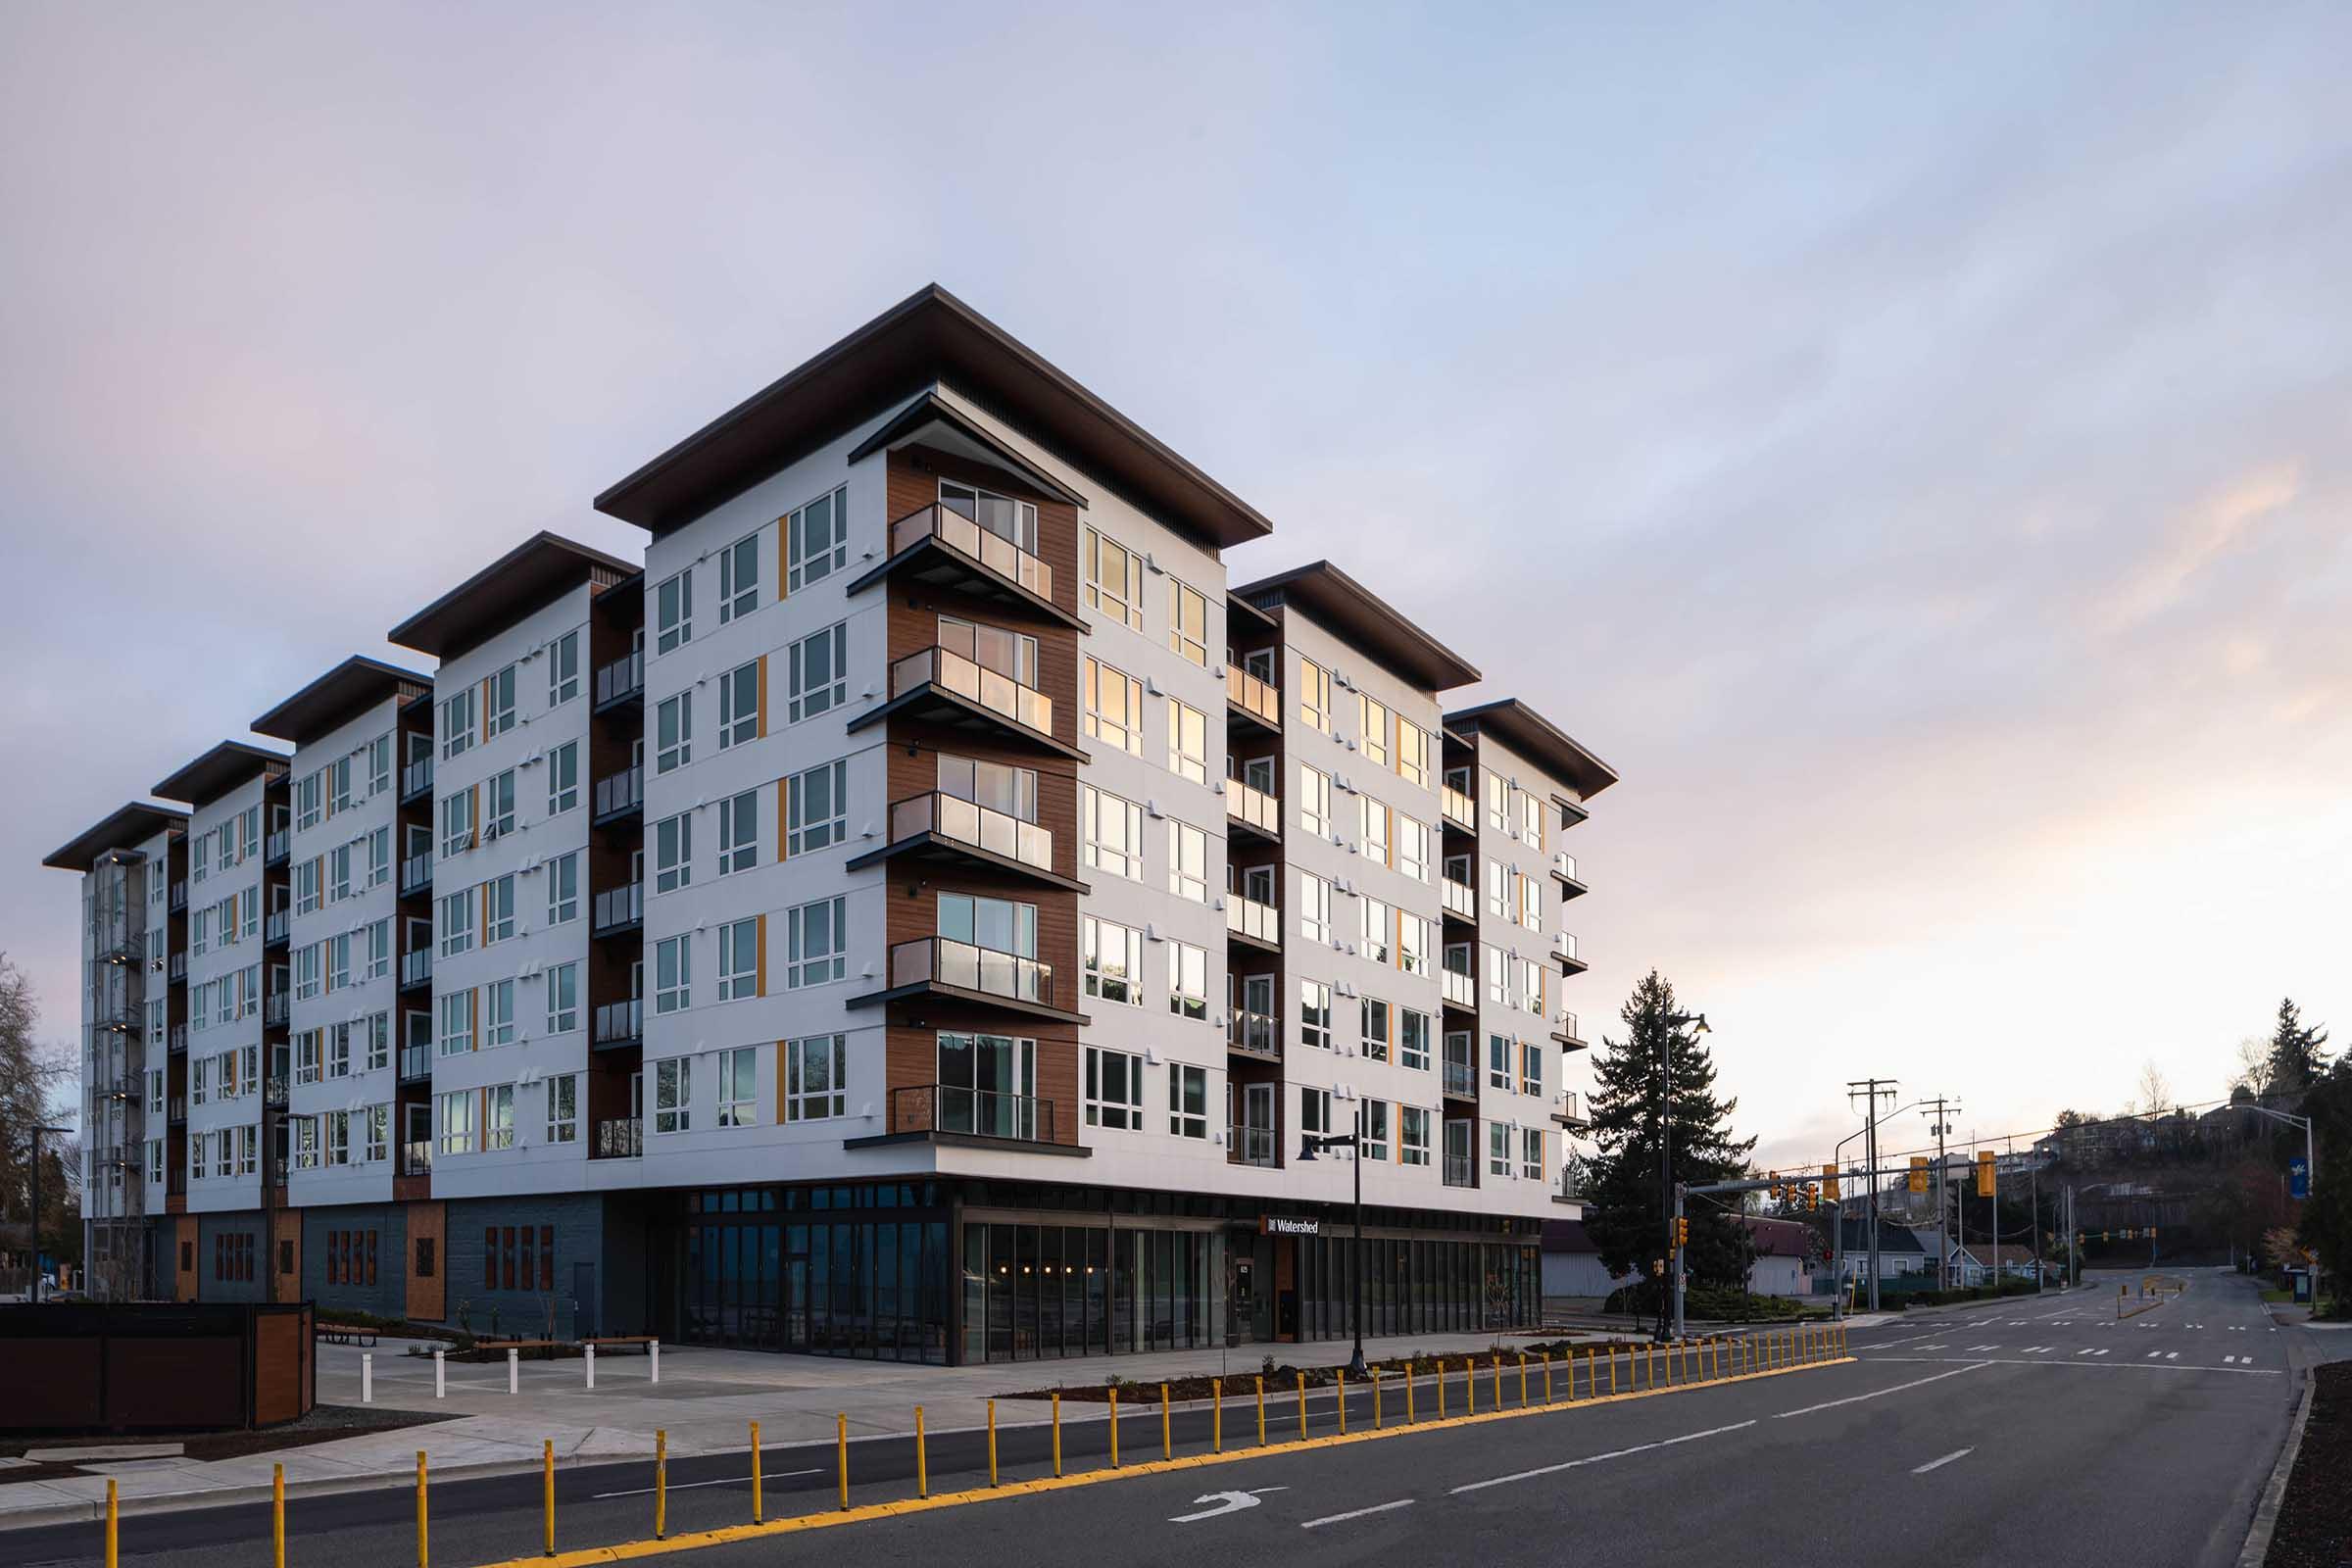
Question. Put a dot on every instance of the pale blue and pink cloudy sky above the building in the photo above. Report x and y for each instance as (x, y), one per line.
(1913, 445)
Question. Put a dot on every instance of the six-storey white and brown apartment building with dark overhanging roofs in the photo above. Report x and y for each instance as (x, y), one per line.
(928, 909)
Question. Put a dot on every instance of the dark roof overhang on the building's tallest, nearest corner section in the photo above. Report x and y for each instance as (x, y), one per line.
(926, 340)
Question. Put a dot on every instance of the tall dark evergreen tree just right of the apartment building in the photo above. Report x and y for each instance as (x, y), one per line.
(1626, 1209)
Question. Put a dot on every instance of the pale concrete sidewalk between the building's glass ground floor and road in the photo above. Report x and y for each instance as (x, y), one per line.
(704, 1405)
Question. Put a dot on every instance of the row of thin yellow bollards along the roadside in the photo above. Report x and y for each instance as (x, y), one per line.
(1648, 1369)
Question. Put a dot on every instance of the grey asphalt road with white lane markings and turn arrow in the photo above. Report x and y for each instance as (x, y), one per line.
(1996, 1435)
